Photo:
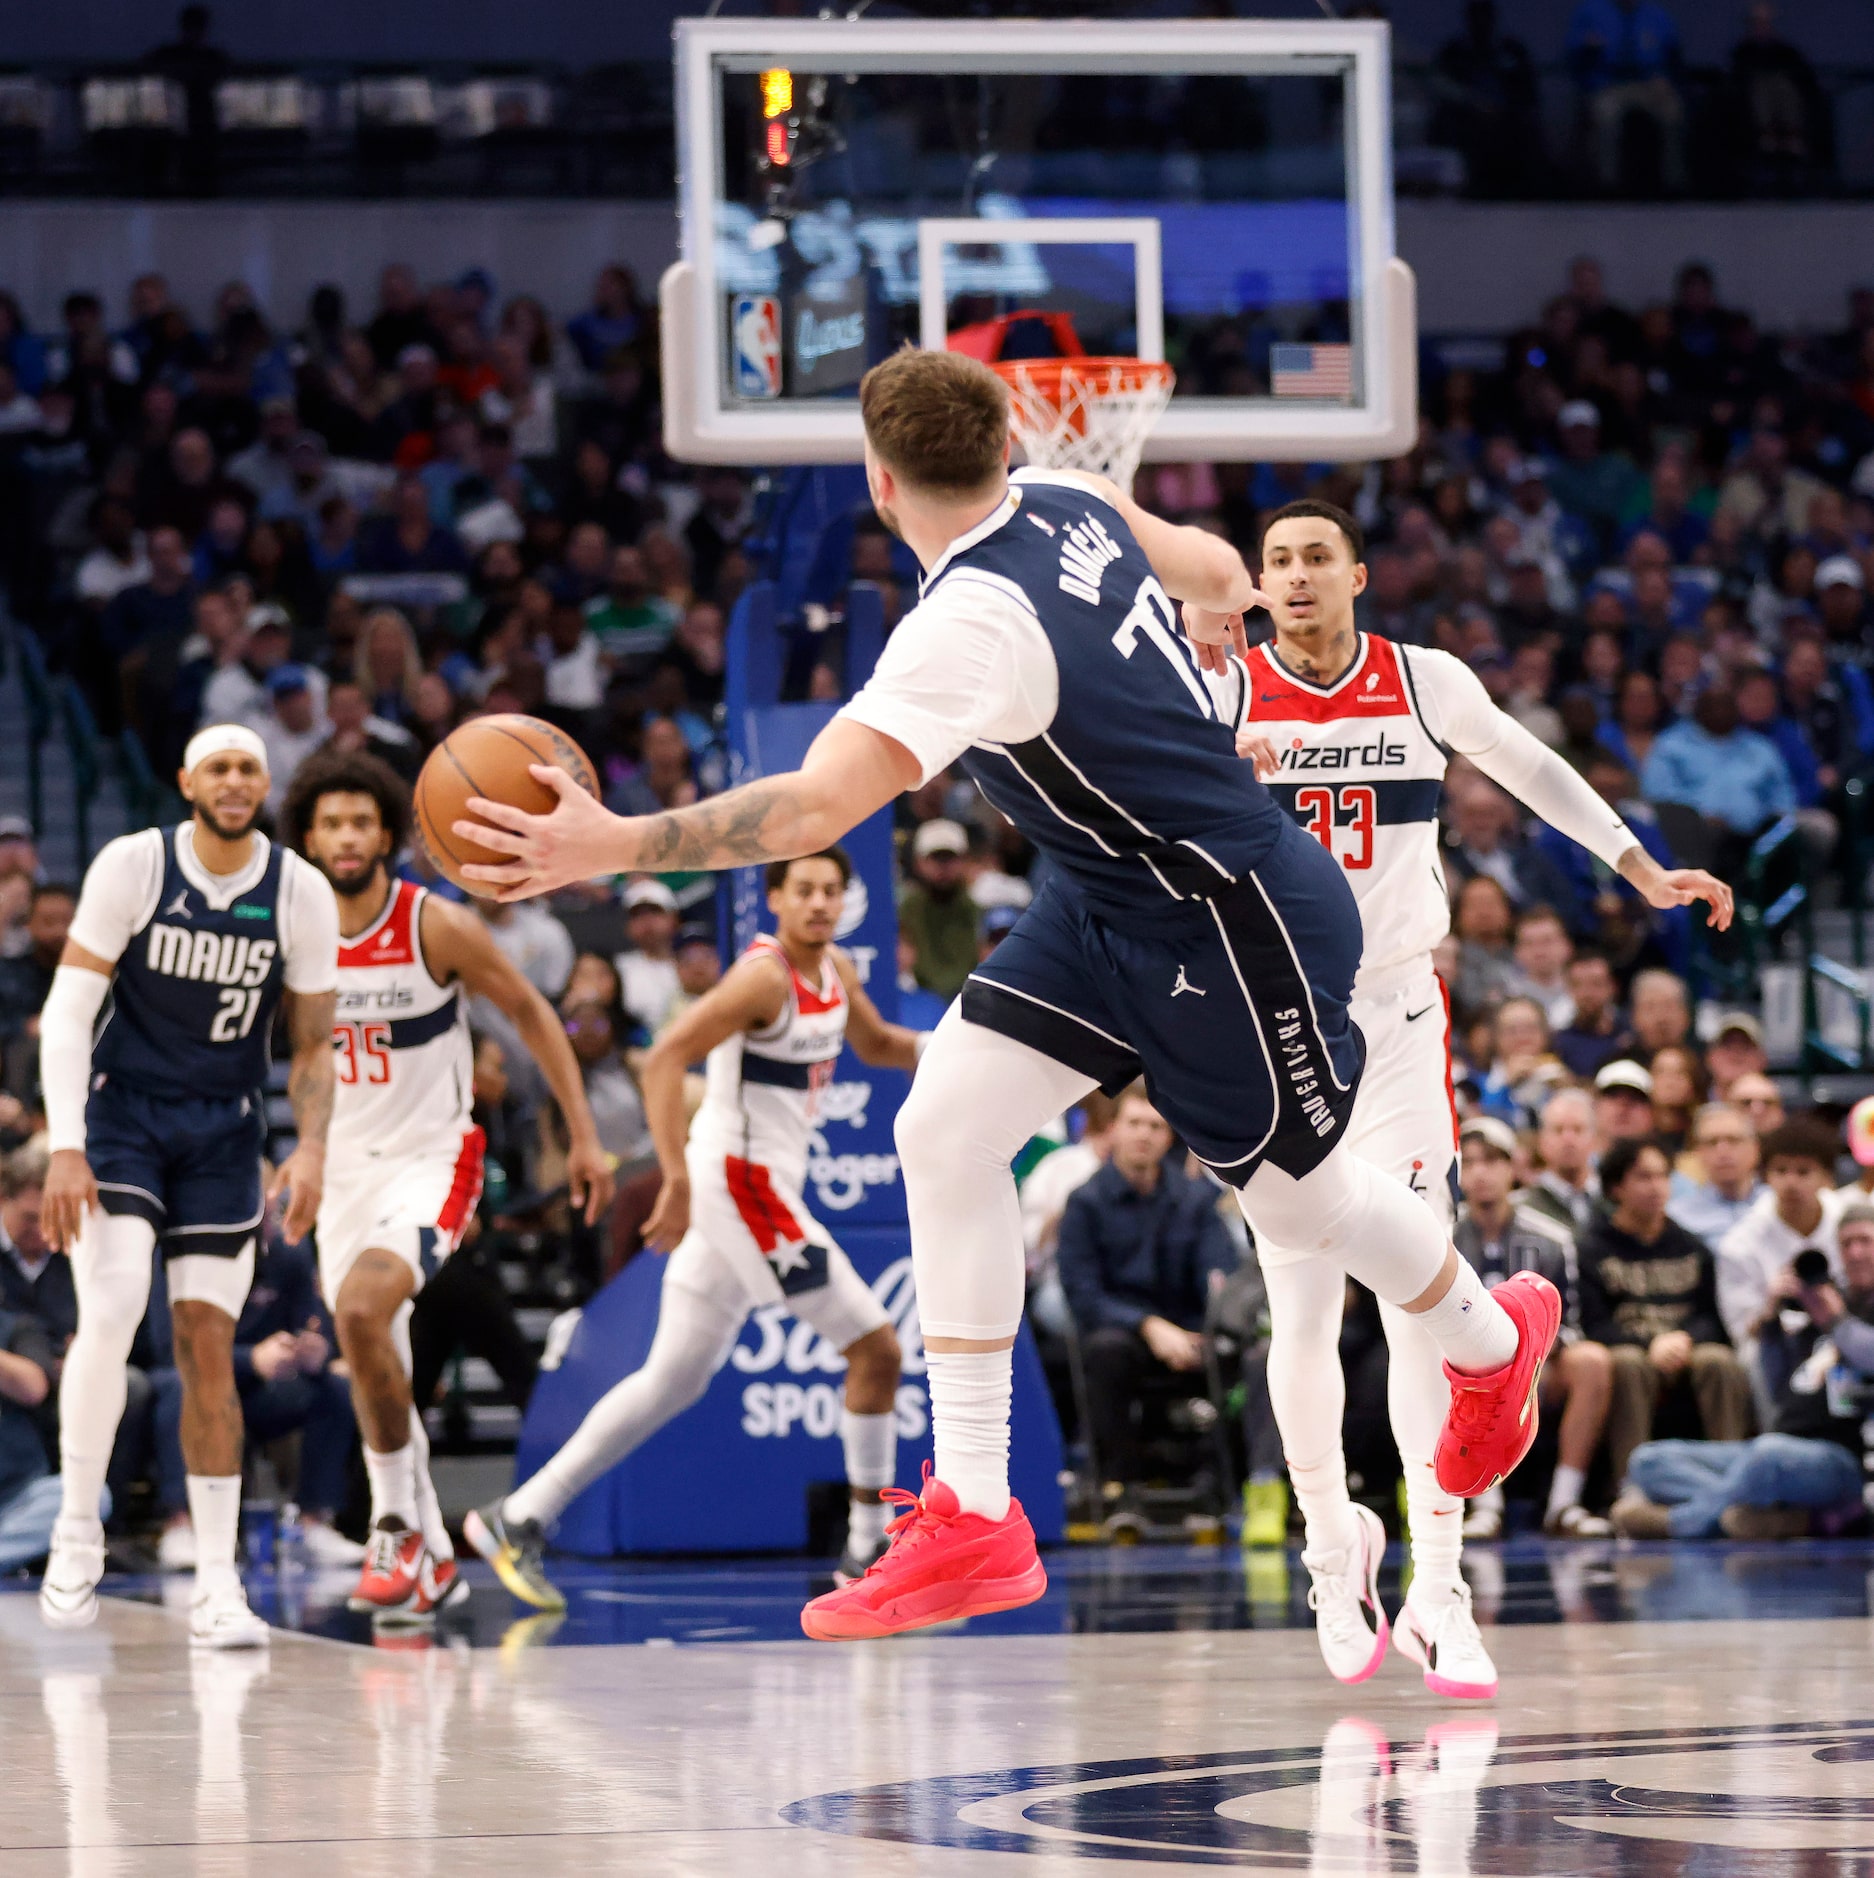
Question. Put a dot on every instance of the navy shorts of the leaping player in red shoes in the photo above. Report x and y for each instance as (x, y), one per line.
(1237, 1011)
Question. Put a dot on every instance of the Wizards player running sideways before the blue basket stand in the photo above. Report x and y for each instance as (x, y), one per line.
(733, 1210)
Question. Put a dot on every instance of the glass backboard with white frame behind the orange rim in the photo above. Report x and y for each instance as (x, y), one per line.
(1210, 192)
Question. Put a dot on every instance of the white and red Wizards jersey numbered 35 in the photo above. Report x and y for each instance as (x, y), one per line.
(403, 1043)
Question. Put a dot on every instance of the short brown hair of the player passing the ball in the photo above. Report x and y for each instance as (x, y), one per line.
(940, 422)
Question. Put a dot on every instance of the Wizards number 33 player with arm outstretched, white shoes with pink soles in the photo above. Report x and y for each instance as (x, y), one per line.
(1353, 735)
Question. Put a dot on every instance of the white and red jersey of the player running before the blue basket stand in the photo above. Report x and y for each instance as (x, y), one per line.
(761, 1100)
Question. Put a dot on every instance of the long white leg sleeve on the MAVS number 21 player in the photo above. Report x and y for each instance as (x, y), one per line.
(112, 1267)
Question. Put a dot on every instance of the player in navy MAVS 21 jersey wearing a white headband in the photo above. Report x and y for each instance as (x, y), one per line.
(157, 1126)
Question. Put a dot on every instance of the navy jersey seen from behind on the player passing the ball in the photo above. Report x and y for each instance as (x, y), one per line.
(1135, 790)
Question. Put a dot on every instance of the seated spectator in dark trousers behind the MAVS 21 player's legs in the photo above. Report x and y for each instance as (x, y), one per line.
(284, 1349)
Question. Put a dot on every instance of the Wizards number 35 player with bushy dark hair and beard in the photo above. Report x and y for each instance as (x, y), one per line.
(407, 1154)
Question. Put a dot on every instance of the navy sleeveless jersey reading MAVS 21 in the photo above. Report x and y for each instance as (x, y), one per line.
(192, 1004)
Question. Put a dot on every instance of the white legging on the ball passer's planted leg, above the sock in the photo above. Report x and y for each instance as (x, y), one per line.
(975, 1101)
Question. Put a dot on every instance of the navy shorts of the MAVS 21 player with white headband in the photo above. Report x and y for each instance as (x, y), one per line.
(189, 1165)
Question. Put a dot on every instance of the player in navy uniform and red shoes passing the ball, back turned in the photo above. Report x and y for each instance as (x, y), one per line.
(1190, 932)
